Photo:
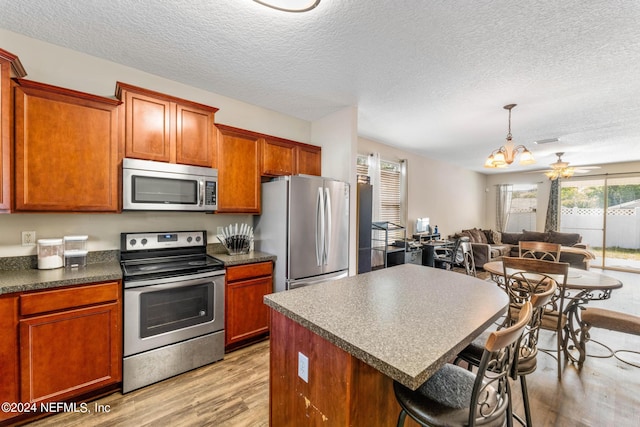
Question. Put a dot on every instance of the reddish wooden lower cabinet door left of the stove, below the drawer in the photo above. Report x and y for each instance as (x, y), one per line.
(69, 353)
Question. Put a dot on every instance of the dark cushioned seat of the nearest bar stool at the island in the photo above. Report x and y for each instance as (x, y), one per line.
(444, 398)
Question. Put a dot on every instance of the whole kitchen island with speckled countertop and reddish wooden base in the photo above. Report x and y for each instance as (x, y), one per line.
(351, 338)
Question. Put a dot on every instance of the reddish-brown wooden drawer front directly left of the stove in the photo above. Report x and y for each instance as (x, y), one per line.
(60, 299)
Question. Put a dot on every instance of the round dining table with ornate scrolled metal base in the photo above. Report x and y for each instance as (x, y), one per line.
(582, 287)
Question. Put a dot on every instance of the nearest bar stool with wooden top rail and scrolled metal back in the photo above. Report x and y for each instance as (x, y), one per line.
(454, 396)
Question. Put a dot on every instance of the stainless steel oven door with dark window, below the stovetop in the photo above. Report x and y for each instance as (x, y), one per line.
(158, 314)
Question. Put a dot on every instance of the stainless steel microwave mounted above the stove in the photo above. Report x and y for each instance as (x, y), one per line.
(158, 186)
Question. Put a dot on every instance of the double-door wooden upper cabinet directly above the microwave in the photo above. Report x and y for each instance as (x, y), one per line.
(165, 128)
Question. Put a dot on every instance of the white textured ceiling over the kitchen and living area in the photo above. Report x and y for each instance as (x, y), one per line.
(430, 77)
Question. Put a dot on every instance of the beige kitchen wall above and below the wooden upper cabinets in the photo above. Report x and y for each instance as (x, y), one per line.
(58, 66)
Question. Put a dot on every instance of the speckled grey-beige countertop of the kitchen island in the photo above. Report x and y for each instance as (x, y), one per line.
(405, 321)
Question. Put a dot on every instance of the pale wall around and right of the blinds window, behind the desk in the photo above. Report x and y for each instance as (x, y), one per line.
(451, 197)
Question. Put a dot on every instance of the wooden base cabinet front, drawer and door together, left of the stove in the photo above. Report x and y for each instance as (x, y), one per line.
(70, 341)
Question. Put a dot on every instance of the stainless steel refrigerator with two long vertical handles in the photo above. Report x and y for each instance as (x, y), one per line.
(305, 223)
